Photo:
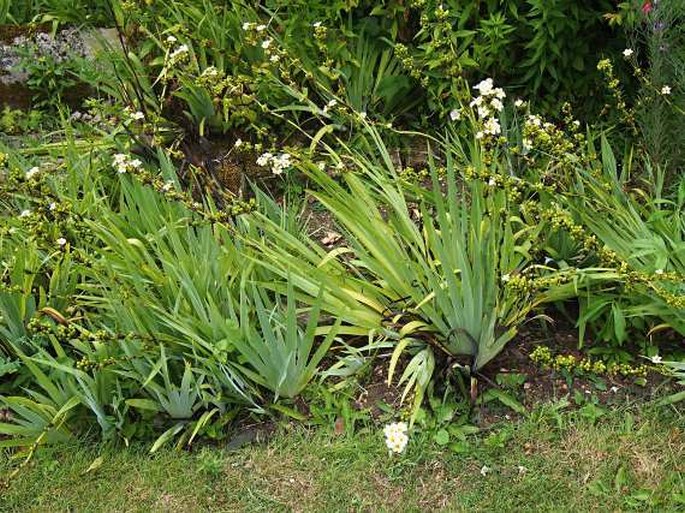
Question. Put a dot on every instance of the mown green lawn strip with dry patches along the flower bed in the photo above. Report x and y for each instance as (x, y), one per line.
(628, 459)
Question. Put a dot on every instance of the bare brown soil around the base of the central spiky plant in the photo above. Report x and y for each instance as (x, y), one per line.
(540, 385)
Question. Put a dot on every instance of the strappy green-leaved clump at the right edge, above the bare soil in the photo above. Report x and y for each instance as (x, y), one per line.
(647, 233)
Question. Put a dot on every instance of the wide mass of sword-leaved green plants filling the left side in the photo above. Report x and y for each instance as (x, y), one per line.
(140, 331)
